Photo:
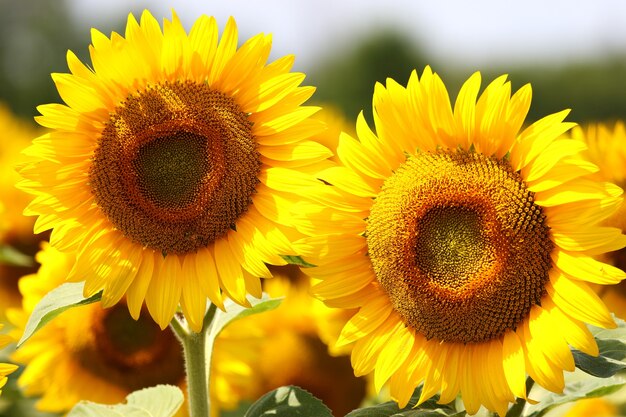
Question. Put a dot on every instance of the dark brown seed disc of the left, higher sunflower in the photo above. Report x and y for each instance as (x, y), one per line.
(175, 167)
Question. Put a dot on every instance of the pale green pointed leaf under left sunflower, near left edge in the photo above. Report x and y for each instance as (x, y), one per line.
(63, 297)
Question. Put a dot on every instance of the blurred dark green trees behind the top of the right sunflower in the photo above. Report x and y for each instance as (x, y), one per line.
(595, 90)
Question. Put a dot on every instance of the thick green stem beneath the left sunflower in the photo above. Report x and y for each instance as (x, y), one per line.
(195, 351)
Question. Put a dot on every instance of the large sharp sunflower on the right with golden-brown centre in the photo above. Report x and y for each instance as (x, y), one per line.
(466, 243)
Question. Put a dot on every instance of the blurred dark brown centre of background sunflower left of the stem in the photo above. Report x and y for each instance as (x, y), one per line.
(132, 354)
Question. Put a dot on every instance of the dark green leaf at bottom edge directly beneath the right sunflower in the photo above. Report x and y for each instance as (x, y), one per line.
(429, 408)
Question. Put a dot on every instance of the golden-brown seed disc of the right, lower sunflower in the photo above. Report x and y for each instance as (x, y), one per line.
(459, 245)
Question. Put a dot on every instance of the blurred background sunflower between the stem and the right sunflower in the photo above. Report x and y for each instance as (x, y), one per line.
(288, 346)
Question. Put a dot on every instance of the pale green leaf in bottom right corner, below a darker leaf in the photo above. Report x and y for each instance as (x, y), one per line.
(588, 387)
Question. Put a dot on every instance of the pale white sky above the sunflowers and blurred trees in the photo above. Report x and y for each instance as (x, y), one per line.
(469, 33)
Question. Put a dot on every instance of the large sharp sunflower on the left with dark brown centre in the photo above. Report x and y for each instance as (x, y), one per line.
(163, 170)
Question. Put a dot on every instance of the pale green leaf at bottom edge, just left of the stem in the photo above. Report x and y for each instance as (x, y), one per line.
(159, 401)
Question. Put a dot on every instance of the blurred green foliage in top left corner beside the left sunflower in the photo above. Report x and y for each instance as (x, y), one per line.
(35, 36)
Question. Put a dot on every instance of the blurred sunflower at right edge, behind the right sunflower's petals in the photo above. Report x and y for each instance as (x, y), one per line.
(606, 149)
